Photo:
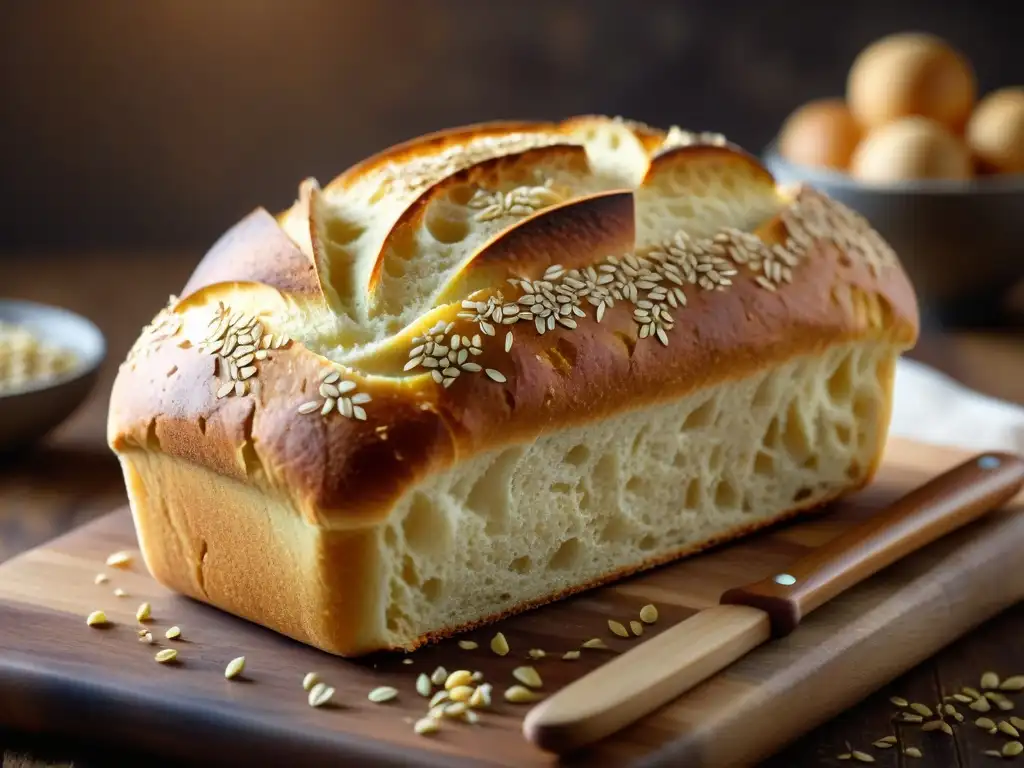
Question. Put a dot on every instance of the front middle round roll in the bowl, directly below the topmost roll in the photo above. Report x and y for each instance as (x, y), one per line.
(911, 149)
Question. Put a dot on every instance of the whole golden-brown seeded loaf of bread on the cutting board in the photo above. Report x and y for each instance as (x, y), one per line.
(499, 365)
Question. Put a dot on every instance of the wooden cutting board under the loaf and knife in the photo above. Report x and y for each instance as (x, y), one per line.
(59, 675)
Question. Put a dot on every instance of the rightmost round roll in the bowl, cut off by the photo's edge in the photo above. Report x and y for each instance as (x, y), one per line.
(996, 133)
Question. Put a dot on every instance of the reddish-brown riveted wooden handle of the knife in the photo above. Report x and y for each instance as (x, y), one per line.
(952, 500)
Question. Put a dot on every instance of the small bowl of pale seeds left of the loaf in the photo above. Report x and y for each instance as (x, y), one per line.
(28, 414)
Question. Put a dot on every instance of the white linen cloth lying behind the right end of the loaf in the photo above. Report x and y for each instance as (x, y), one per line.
(933, 408)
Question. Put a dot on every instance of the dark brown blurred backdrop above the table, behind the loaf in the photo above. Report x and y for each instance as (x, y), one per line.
(156, 125)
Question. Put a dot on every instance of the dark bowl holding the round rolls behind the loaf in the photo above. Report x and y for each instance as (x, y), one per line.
(962, 243)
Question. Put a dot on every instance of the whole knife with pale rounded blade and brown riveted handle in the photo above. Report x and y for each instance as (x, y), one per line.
(660, 670)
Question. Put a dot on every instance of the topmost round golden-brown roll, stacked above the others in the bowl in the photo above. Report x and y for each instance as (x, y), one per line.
(911, 74)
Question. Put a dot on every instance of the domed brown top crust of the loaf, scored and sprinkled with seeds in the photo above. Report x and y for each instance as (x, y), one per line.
(484, 285)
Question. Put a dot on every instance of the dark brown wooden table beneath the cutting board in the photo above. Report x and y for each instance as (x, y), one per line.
(73, 478)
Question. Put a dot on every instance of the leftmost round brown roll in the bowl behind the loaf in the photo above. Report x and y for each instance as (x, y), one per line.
(821, 134)
